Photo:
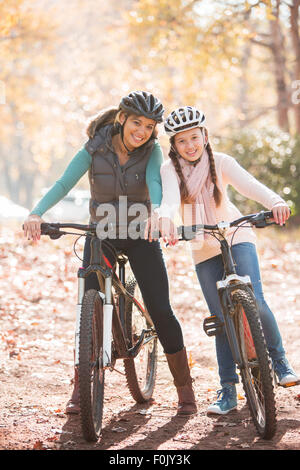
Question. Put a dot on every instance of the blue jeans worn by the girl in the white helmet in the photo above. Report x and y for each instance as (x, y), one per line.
(211, 271)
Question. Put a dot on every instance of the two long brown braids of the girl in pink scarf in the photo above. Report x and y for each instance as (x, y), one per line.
(184, 193)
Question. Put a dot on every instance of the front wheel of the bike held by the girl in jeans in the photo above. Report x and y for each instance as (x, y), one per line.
(256, 372)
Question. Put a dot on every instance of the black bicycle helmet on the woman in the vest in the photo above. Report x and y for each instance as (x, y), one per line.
(143, 103)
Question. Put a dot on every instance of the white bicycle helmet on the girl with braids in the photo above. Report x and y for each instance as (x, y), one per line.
(182, 119)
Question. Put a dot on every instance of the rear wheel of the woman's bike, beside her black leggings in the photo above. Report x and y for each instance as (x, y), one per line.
(140, 371)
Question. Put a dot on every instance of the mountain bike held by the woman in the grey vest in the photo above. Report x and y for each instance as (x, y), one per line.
(111, 324)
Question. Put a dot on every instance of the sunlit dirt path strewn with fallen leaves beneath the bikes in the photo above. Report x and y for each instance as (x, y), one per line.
(36, 357)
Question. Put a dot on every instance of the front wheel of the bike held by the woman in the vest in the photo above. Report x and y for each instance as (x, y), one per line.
(90, 369)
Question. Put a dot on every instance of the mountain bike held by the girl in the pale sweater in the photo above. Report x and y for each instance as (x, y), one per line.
(242, 324)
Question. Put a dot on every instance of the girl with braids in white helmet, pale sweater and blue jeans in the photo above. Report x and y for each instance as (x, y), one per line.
(196, 178)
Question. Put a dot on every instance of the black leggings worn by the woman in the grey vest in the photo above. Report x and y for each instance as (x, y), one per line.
(147, 263)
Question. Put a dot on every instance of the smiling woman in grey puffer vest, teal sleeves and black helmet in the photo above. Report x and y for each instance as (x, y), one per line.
(123, 161)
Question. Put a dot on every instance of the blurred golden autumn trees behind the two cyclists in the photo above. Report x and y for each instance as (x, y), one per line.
(62, 61)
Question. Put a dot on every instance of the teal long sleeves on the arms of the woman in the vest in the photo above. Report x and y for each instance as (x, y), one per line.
(80, 164)
